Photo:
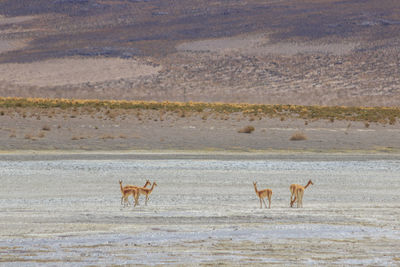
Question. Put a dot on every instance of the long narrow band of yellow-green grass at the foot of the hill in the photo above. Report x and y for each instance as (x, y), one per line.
(367, 114)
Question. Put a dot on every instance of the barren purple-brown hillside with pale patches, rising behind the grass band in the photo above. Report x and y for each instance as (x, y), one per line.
(327, 52)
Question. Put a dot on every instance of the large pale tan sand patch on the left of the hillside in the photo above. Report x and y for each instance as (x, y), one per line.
(68, 71)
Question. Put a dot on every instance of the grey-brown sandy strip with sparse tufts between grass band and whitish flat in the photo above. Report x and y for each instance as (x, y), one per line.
(81, 129)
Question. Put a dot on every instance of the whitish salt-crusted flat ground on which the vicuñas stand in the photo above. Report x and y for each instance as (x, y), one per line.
(64, 209)
